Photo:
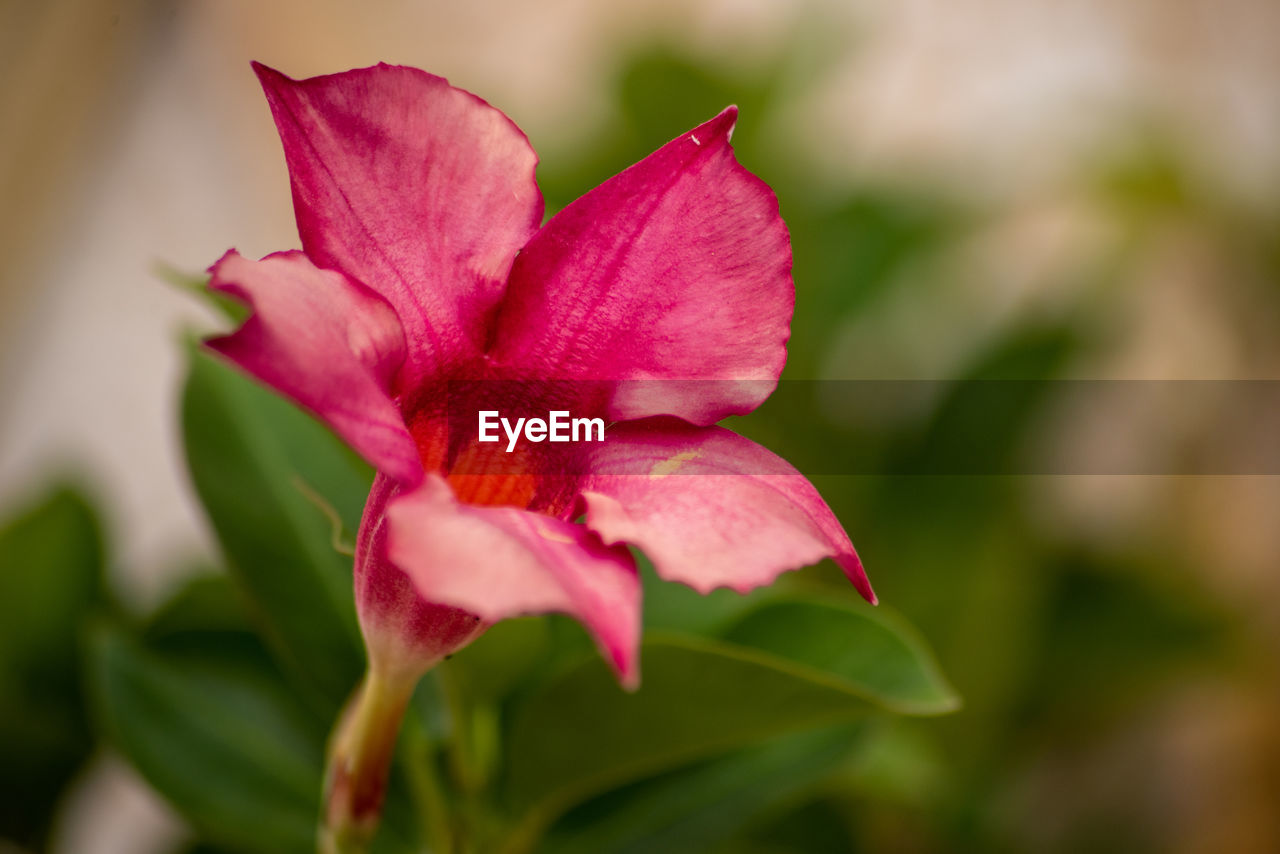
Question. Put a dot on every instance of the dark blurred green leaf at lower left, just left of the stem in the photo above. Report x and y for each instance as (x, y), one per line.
(217, 736)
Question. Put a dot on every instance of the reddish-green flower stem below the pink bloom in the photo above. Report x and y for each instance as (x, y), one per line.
(360, 759)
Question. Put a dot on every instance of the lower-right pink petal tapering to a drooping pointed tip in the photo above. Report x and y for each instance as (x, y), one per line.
(711, 509)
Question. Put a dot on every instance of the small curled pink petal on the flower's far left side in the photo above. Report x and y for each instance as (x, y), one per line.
(328, 344)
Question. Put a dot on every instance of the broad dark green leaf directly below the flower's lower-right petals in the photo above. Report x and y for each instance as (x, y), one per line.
(582, 734)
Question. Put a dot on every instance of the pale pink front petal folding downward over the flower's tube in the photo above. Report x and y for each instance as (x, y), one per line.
(502, 563)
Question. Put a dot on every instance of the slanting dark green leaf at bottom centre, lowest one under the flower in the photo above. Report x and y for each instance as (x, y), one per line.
(692, 810)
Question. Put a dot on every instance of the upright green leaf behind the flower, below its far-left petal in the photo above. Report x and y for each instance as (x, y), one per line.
(257, 463)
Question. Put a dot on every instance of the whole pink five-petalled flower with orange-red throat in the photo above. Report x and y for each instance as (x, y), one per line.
(428, 285)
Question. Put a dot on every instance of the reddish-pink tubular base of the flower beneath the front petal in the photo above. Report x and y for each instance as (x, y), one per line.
(404, 633)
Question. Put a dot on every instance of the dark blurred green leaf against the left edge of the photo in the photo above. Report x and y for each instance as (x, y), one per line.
(51, 582)
